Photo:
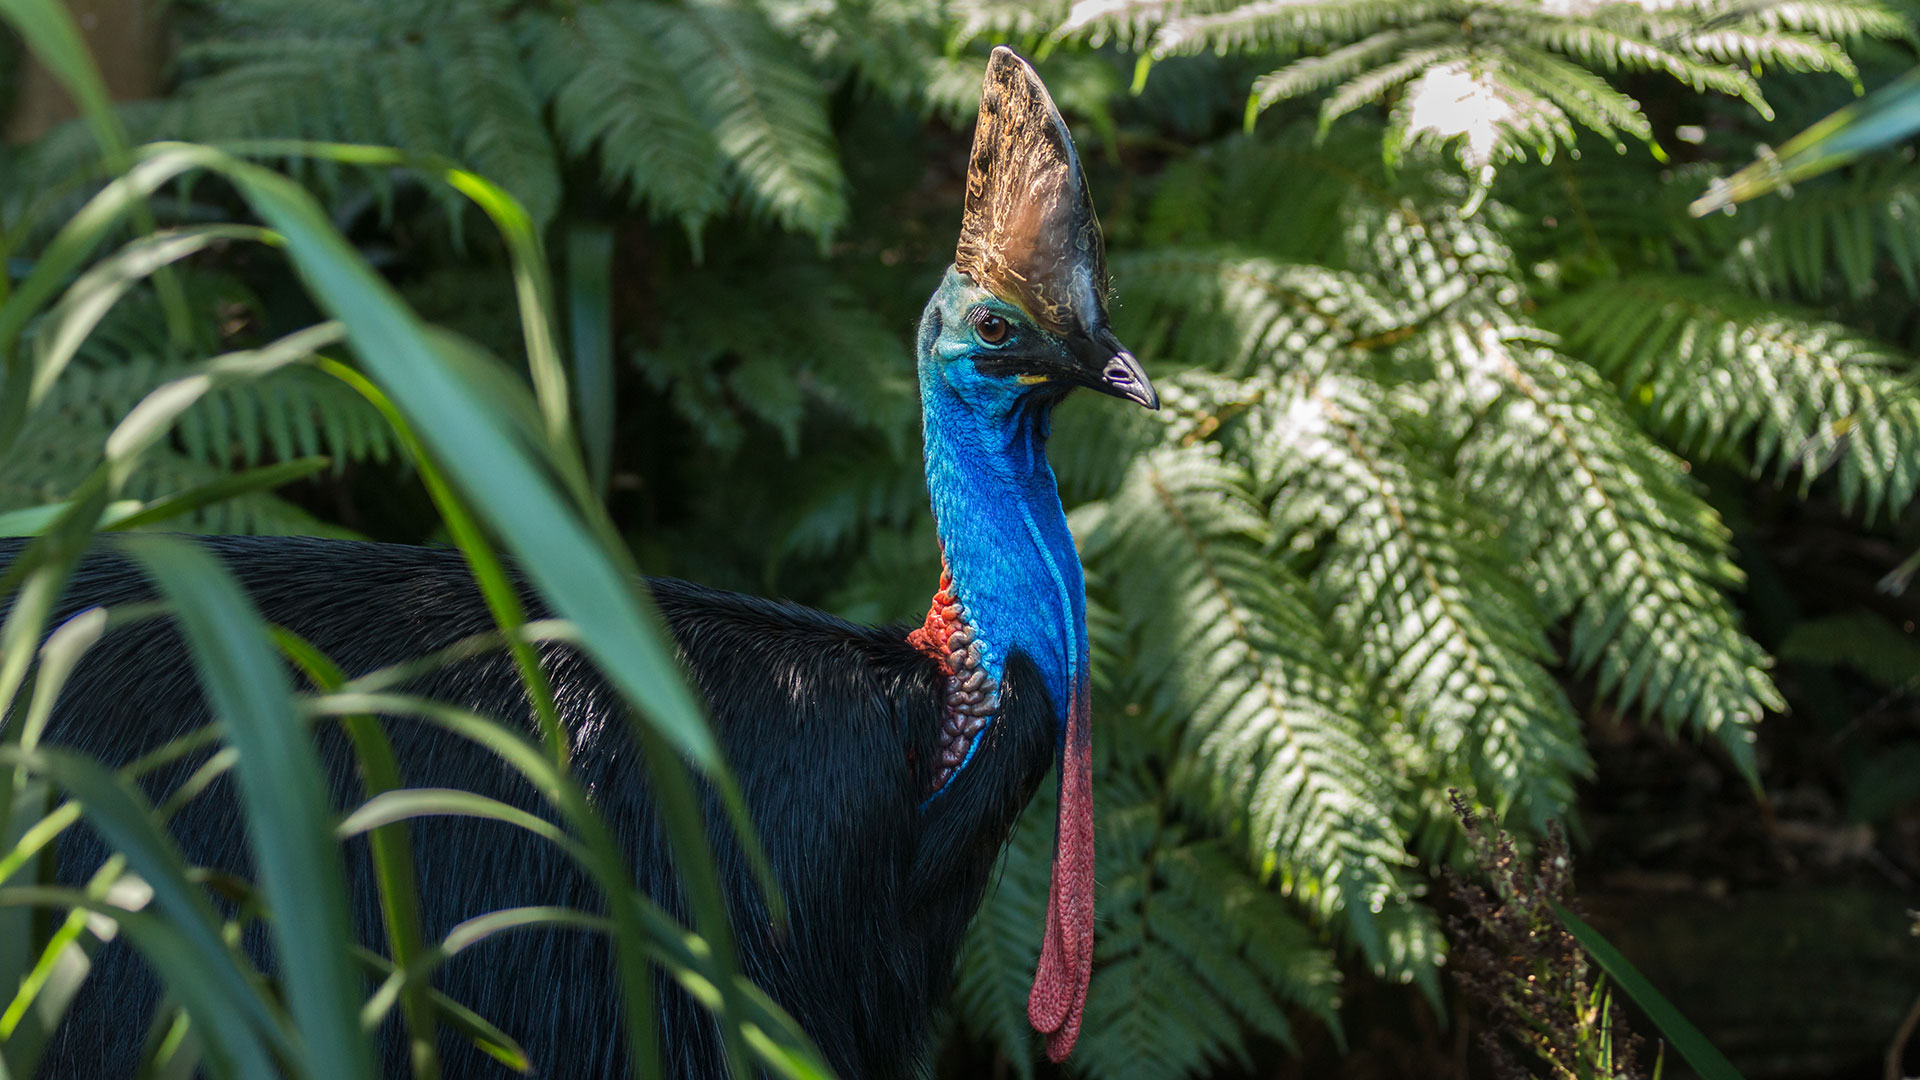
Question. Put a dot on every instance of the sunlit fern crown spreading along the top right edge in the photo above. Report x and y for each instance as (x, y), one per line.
(1502, 80)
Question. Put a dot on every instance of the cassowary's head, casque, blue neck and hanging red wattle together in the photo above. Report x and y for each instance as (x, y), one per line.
(1019, 322)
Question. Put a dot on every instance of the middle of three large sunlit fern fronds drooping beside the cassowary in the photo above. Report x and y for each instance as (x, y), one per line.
(1418, 593)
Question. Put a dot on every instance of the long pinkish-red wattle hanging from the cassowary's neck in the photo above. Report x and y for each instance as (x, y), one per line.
(1059, 996)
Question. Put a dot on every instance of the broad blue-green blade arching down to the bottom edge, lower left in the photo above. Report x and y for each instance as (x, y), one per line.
(287, 806)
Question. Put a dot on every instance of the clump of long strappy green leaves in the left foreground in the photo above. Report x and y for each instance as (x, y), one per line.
(502, 468)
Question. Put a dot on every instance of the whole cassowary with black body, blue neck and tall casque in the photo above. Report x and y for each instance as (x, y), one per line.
(882, 768)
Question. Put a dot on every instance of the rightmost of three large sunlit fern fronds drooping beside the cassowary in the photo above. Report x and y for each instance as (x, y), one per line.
(1612, 535)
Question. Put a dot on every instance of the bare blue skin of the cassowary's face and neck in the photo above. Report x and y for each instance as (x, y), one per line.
(996, 501)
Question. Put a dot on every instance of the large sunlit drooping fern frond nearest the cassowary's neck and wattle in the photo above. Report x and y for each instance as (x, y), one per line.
(1236, 660)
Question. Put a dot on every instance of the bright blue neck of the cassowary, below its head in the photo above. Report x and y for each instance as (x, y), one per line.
(1005, 537)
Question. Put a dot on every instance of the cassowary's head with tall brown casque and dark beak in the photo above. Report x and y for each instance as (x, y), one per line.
(1022, 310)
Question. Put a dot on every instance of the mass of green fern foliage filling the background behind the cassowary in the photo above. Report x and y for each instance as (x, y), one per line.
(1462, 406)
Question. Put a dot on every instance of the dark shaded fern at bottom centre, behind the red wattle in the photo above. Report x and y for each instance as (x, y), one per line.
(1191, 954)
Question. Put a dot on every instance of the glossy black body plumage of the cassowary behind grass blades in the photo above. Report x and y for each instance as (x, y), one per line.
(830, 729)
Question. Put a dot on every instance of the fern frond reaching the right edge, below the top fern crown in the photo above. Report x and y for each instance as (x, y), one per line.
(1733, 378)
